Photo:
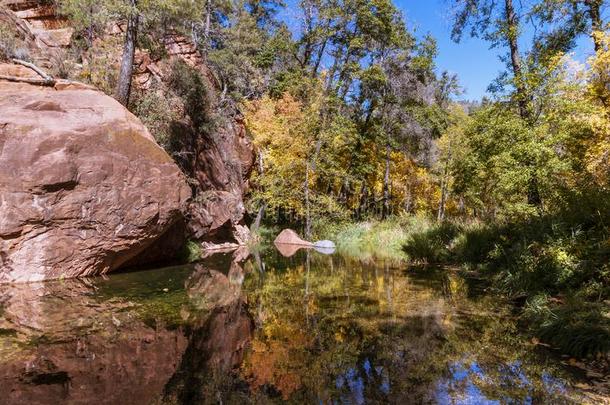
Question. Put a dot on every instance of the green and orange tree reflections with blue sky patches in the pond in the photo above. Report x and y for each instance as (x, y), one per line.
(358, 333)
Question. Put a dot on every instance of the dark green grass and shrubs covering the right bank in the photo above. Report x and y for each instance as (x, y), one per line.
(564, 256)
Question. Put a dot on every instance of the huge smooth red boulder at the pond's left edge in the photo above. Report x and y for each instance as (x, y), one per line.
(84, 188)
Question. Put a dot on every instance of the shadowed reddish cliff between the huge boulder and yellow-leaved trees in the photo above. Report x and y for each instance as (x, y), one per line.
(220, 161)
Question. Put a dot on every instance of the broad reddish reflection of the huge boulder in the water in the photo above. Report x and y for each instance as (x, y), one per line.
(73, 348)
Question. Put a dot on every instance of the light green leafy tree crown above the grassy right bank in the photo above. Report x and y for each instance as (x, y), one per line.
(503, 154)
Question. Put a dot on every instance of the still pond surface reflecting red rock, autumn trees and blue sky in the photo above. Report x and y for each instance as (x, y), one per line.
(263, 328)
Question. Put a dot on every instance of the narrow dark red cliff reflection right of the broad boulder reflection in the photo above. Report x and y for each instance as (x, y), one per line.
(217, 344)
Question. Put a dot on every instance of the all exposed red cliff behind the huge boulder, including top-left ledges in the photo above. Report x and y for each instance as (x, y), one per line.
(218, 162)
